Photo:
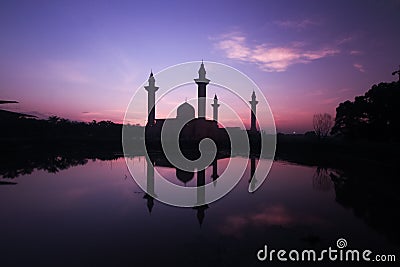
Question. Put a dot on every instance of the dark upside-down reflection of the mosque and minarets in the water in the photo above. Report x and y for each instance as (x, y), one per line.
(185, 177)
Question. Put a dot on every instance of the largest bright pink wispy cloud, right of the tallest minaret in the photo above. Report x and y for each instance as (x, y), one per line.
(268, 57)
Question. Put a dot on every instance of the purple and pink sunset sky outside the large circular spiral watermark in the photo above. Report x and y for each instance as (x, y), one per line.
(83, 60)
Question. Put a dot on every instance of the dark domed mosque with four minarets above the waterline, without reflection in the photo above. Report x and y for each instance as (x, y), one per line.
(191, 130)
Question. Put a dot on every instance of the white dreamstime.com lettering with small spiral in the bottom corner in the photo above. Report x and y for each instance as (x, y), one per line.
(338, 253)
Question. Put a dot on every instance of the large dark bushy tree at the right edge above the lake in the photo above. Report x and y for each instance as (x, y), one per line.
(373, 115)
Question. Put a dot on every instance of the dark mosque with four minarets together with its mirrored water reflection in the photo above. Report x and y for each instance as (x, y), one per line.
(191, 131)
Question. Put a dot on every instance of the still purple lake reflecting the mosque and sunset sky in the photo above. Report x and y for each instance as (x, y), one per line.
(92, 213)
